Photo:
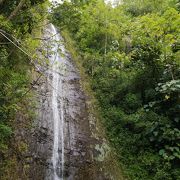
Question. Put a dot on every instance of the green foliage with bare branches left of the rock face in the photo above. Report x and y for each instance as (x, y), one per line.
(17, 21)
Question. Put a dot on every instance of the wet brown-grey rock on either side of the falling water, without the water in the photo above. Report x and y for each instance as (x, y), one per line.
(80, 146)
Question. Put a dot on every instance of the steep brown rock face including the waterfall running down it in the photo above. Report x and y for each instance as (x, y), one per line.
(65, 144)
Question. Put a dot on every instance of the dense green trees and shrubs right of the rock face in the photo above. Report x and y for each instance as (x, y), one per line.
(131, 52)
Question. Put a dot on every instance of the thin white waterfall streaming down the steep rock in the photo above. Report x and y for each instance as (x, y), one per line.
(56, 61)
